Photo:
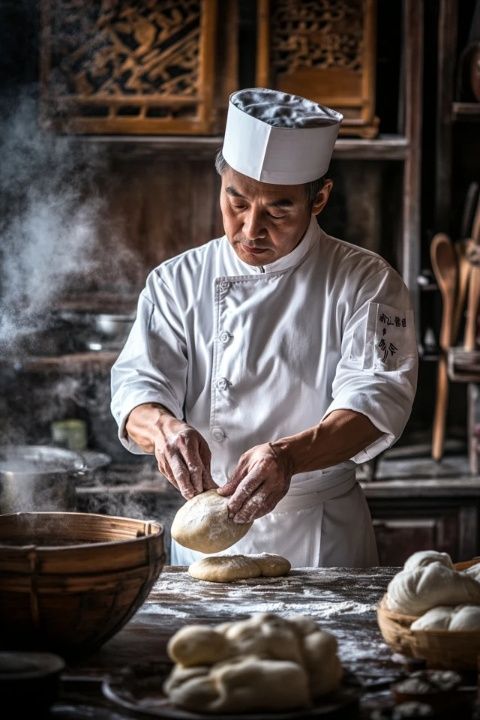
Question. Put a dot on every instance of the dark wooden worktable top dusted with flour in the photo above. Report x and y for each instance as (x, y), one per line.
(342, 601)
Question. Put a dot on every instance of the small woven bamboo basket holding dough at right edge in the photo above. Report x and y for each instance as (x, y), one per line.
(446, 649)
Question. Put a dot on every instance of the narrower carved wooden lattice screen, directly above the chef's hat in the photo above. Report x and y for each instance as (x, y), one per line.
(324, 50)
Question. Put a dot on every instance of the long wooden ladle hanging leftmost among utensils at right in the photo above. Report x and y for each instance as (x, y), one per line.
(445, 268)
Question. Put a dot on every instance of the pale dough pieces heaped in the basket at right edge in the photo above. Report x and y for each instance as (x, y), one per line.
(430, 587)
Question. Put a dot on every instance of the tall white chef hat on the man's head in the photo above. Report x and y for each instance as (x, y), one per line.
(279, 138)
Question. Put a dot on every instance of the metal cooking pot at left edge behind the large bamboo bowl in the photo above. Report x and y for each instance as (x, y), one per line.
(39, 478)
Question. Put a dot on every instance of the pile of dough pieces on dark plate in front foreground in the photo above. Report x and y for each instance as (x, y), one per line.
(265, 663)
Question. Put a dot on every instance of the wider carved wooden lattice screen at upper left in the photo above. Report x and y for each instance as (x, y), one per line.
(129, 66)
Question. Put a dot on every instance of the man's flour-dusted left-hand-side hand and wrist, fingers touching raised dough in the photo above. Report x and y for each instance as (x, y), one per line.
(182, 453)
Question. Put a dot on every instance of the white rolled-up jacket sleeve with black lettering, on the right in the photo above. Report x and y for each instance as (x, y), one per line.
(377, 372)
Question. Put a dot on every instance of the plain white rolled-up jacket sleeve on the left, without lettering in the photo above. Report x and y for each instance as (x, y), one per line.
(152, 366)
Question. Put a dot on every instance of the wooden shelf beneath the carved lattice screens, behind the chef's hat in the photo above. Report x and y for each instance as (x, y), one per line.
(384, 147)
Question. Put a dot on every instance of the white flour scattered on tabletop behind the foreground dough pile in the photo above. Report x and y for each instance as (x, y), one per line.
(328, 595)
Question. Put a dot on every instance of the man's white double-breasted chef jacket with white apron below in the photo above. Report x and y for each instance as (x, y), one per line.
(247, 355)
